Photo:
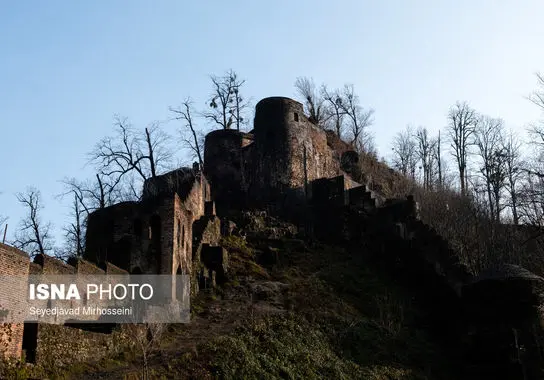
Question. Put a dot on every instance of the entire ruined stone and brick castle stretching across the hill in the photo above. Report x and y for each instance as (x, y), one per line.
(290, 167)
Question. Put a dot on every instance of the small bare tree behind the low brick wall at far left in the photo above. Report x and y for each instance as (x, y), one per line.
(34, 235)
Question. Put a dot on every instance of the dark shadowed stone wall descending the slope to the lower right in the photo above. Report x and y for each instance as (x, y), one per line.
(494, 320)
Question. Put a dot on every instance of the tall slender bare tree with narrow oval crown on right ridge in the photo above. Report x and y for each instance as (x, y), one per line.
(462, 119)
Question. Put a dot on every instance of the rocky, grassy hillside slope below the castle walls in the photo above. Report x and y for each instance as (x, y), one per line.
(291, 309)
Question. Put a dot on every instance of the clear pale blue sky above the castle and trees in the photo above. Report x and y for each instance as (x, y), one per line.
(66, 67)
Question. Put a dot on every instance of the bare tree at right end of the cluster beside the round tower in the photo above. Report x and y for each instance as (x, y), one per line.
(359, 118)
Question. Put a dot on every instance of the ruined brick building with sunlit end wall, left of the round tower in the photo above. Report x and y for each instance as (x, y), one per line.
(154, 235)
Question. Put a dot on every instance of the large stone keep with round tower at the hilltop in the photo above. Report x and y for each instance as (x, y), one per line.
(275, 162)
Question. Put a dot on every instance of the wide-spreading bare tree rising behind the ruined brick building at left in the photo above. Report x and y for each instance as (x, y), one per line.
(131, 152)
